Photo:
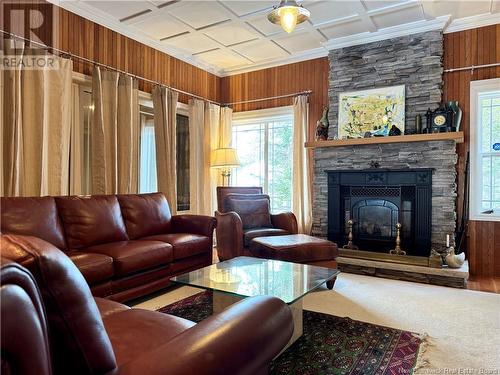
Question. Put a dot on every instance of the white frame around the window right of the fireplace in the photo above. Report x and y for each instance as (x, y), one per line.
(476, 186)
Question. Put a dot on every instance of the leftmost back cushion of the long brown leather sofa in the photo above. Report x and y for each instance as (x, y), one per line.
(36, 216)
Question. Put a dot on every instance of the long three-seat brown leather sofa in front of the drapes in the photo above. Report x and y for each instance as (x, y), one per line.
(126, 246)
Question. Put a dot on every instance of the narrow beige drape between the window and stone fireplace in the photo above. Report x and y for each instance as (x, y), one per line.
(301, 195)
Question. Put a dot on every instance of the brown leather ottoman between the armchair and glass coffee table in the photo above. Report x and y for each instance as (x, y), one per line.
(297, 248)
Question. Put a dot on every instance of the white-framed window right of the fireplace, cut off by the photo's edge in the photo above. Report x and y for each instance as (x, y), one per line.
(485, 150)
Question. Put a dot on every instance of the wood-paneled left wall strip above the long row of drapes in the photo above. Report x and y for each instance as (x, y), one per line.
(87, 39)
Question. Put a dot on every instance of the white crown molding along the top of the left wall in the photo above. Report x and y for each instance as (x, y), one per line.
(102, 19)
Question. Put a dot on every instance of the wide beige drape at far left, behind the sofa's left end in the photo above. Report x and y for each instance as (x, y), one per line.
(36, 124)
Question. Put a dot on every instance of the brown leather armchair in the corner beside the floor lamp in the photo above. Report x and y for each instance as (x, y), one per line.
(239, 223)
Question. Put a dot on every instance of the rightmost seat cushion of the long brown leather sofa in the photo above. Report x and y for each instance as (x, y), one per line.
(185, 244)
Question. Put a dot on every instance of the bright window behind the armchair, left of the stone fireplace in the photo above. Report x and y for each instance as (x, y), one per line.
(263, 140)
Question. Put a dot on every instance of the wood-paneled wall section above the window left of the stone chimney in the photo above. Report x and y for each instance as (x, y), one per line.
(280, 80)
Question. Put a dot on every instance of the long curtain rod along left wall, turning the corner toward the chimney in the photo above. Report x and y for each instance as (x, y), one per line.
(84, 59)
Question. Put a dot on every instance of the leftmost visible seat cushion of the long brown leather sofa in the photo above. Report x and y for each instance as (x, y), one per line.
(94, 267)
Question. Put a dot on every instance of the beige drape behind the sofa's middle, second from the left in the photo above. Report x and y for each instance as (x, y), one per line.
(115, 133)
